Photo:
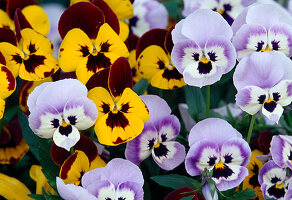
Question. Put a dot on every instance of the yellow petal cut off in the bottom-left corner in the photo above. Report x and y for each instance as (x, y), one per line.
(12, 189)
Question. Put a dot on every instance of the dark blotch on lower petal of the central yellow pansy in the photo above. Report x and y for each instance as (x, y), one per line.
(117, 120)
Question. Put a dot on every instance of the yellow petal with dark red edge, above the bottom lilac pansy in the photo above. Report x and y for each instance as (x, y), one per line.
(74, 167)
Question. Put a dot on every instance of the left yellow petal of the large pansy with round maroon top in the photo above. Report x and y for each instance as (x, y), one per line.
(75, 46)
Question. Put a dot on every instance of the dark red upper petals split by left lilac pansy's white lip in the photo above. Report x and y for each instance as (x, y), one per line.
(85, 144)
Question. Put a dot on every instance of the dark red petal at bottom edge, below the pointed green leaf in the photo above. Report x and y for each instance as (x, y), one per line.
(184, 192)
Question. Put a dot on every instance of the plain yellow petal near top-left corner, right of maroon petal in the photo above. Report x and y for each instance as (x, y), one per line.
(37, 18)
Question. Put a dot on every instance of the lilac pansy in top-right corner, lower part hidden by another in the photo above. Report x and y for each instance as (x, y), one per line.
(270, 32)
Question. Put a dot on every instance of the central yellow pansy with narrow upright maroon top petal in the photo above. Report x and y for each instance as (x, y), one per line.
(122, 113)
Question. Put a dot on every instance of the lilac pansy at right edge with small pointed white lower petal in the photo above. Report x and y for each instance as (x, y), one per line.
(263, 82)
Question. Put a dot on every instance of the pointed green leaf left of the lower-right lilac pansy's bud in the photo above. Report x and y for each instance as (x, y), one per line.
(175, 181)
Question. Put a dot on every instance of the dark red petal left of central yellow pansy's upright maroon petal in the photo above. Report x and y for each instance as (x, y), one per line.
(99, 79)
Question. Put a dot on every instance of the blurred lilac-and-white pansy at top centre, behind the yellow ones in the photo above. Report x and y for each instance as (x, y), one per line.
(148, 14)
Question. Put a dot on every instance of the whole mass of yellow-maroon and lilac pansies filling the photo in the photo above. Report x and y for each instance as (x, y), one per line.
(109, 45)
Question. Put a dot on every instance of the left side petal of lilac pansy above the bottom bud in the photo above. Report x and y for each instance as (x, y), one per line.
(202, 155)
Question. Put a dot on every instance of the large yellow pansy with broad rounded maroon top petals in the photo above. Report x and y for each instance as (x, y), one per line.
(89, 47)
